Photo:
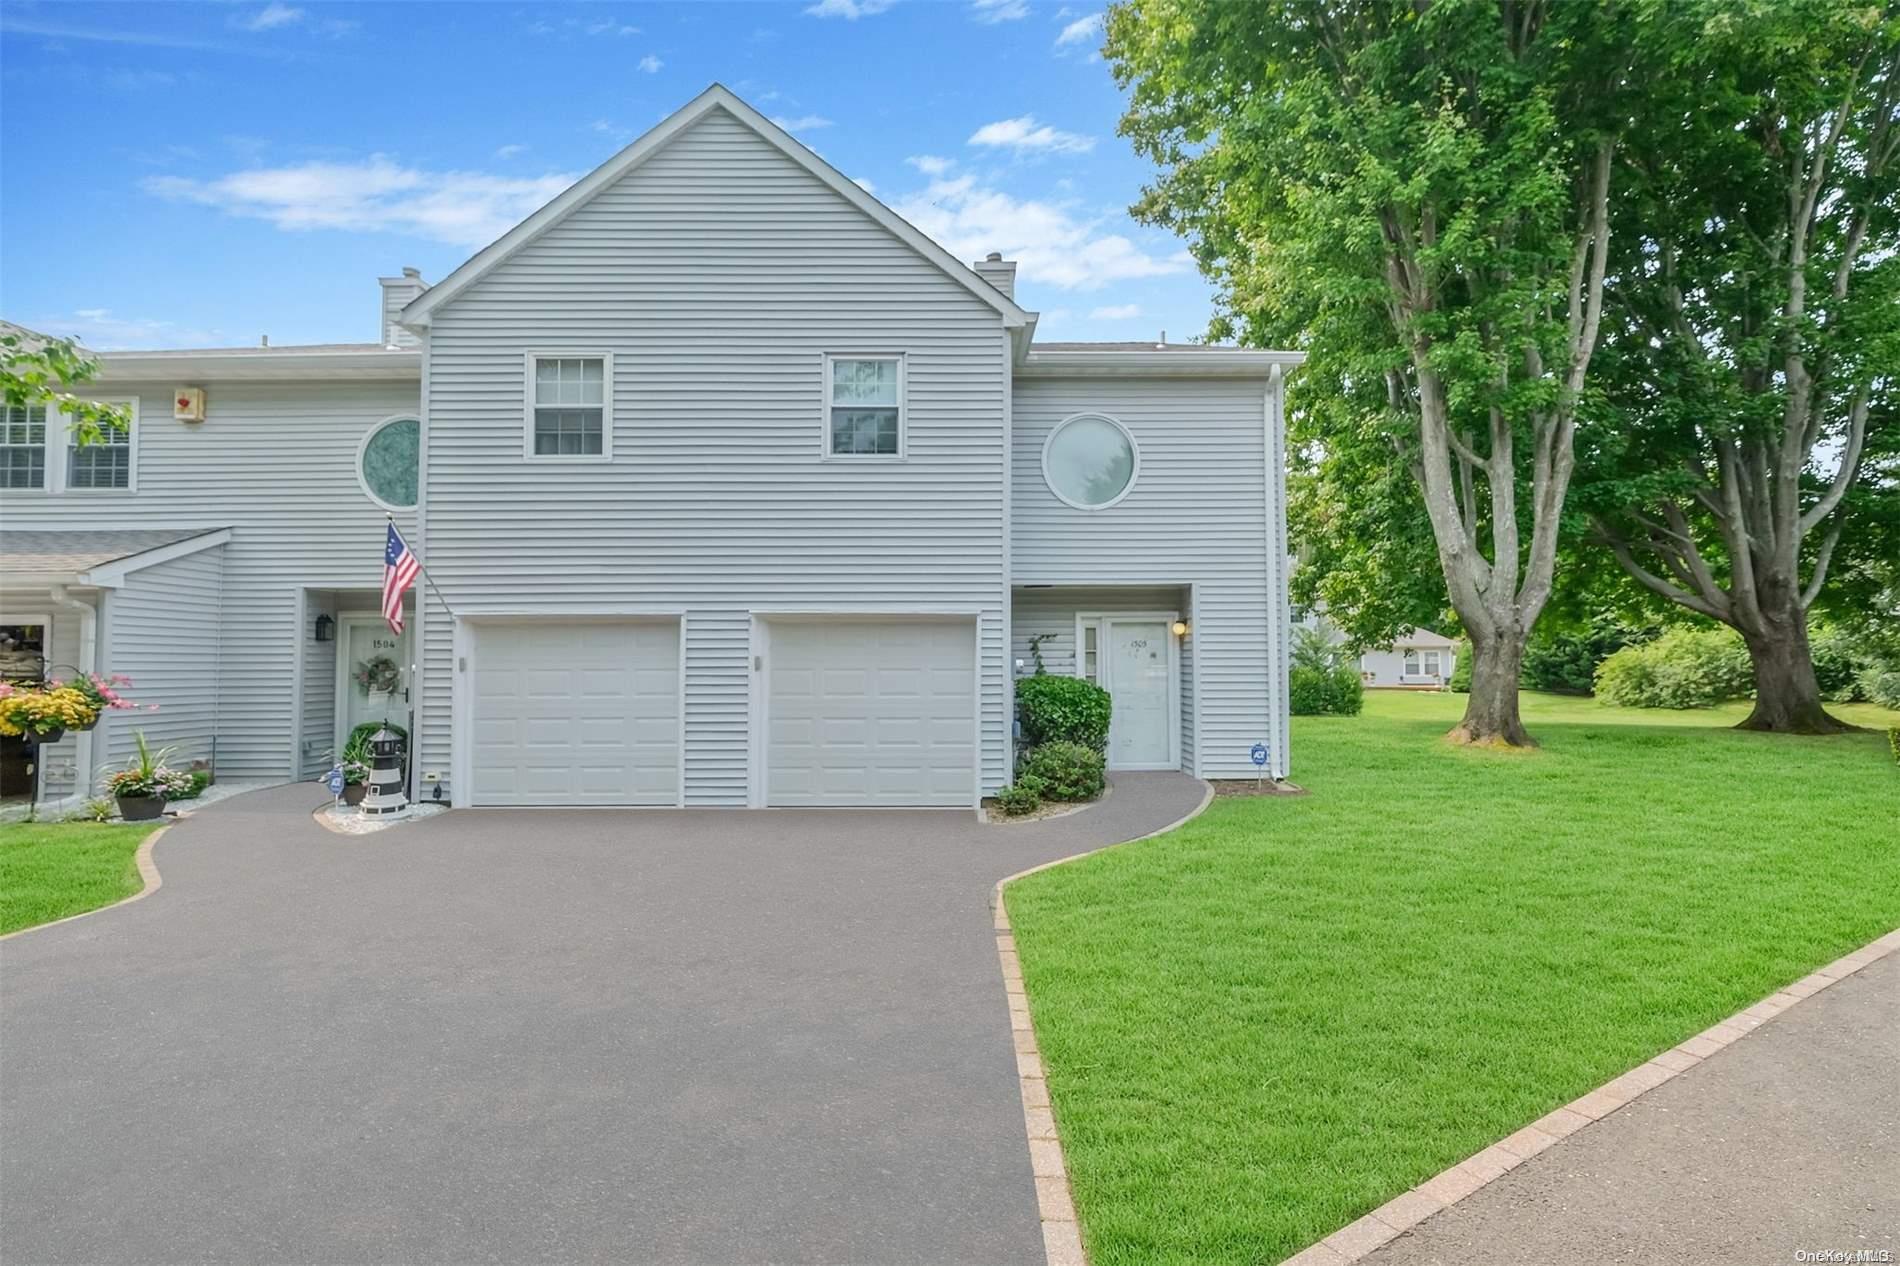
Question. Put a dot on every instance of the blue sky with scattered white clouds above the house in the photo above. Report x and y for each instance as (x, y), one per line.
(204, 174)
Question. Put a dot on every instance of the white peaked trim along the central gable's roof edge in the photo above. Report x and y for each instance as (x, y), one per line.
(715, 98)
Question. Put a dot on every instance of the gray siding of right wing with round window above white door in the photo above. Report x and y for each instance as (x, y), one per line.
(1198, 516)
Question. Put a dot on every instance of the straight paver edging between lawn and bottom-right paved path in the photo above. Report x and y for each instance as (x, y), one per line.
(1399, 1216)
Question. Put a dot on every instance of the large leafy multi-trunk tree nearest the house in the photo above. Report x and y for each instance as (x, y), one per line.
(1418, 195)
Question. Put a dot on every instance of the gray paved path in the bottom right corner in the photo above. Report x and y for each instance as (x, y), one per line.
(1785, 1141)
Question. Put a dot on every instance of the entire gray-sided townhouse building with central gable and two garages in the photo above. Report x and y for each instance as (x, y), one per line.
(734, 491)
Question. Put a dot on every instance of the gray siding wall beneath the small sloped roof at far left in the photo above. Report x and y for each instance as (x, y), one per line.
(164, 630)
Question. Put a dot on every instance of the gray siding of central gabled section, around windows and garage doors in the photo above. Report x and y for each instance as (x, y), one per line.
(719, 275)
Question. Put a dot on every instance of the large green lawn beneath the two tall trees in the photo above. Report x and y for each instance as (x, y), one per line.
(1291, 1010)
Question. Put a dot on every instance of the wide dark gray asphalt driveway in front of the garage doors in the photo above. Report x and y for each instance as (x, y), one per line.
(552, 1037)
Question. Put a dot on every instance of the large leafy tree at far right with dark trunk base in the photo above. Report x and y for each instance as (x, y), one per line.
(1753, 343)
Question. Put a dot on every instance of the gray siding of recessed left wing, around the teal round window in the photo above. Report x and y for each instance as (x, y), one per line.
(275, 463)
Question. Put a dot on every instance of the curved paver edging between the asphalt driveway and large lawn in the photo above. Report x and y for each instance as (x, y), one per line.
(1055, 1202)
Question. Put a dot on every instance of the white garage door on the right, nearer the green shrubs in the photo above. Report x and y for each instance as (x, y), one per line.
(871, 712)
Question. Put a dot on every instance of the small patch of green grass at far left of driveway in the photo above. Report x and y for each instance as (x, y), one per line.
(56, 870)
